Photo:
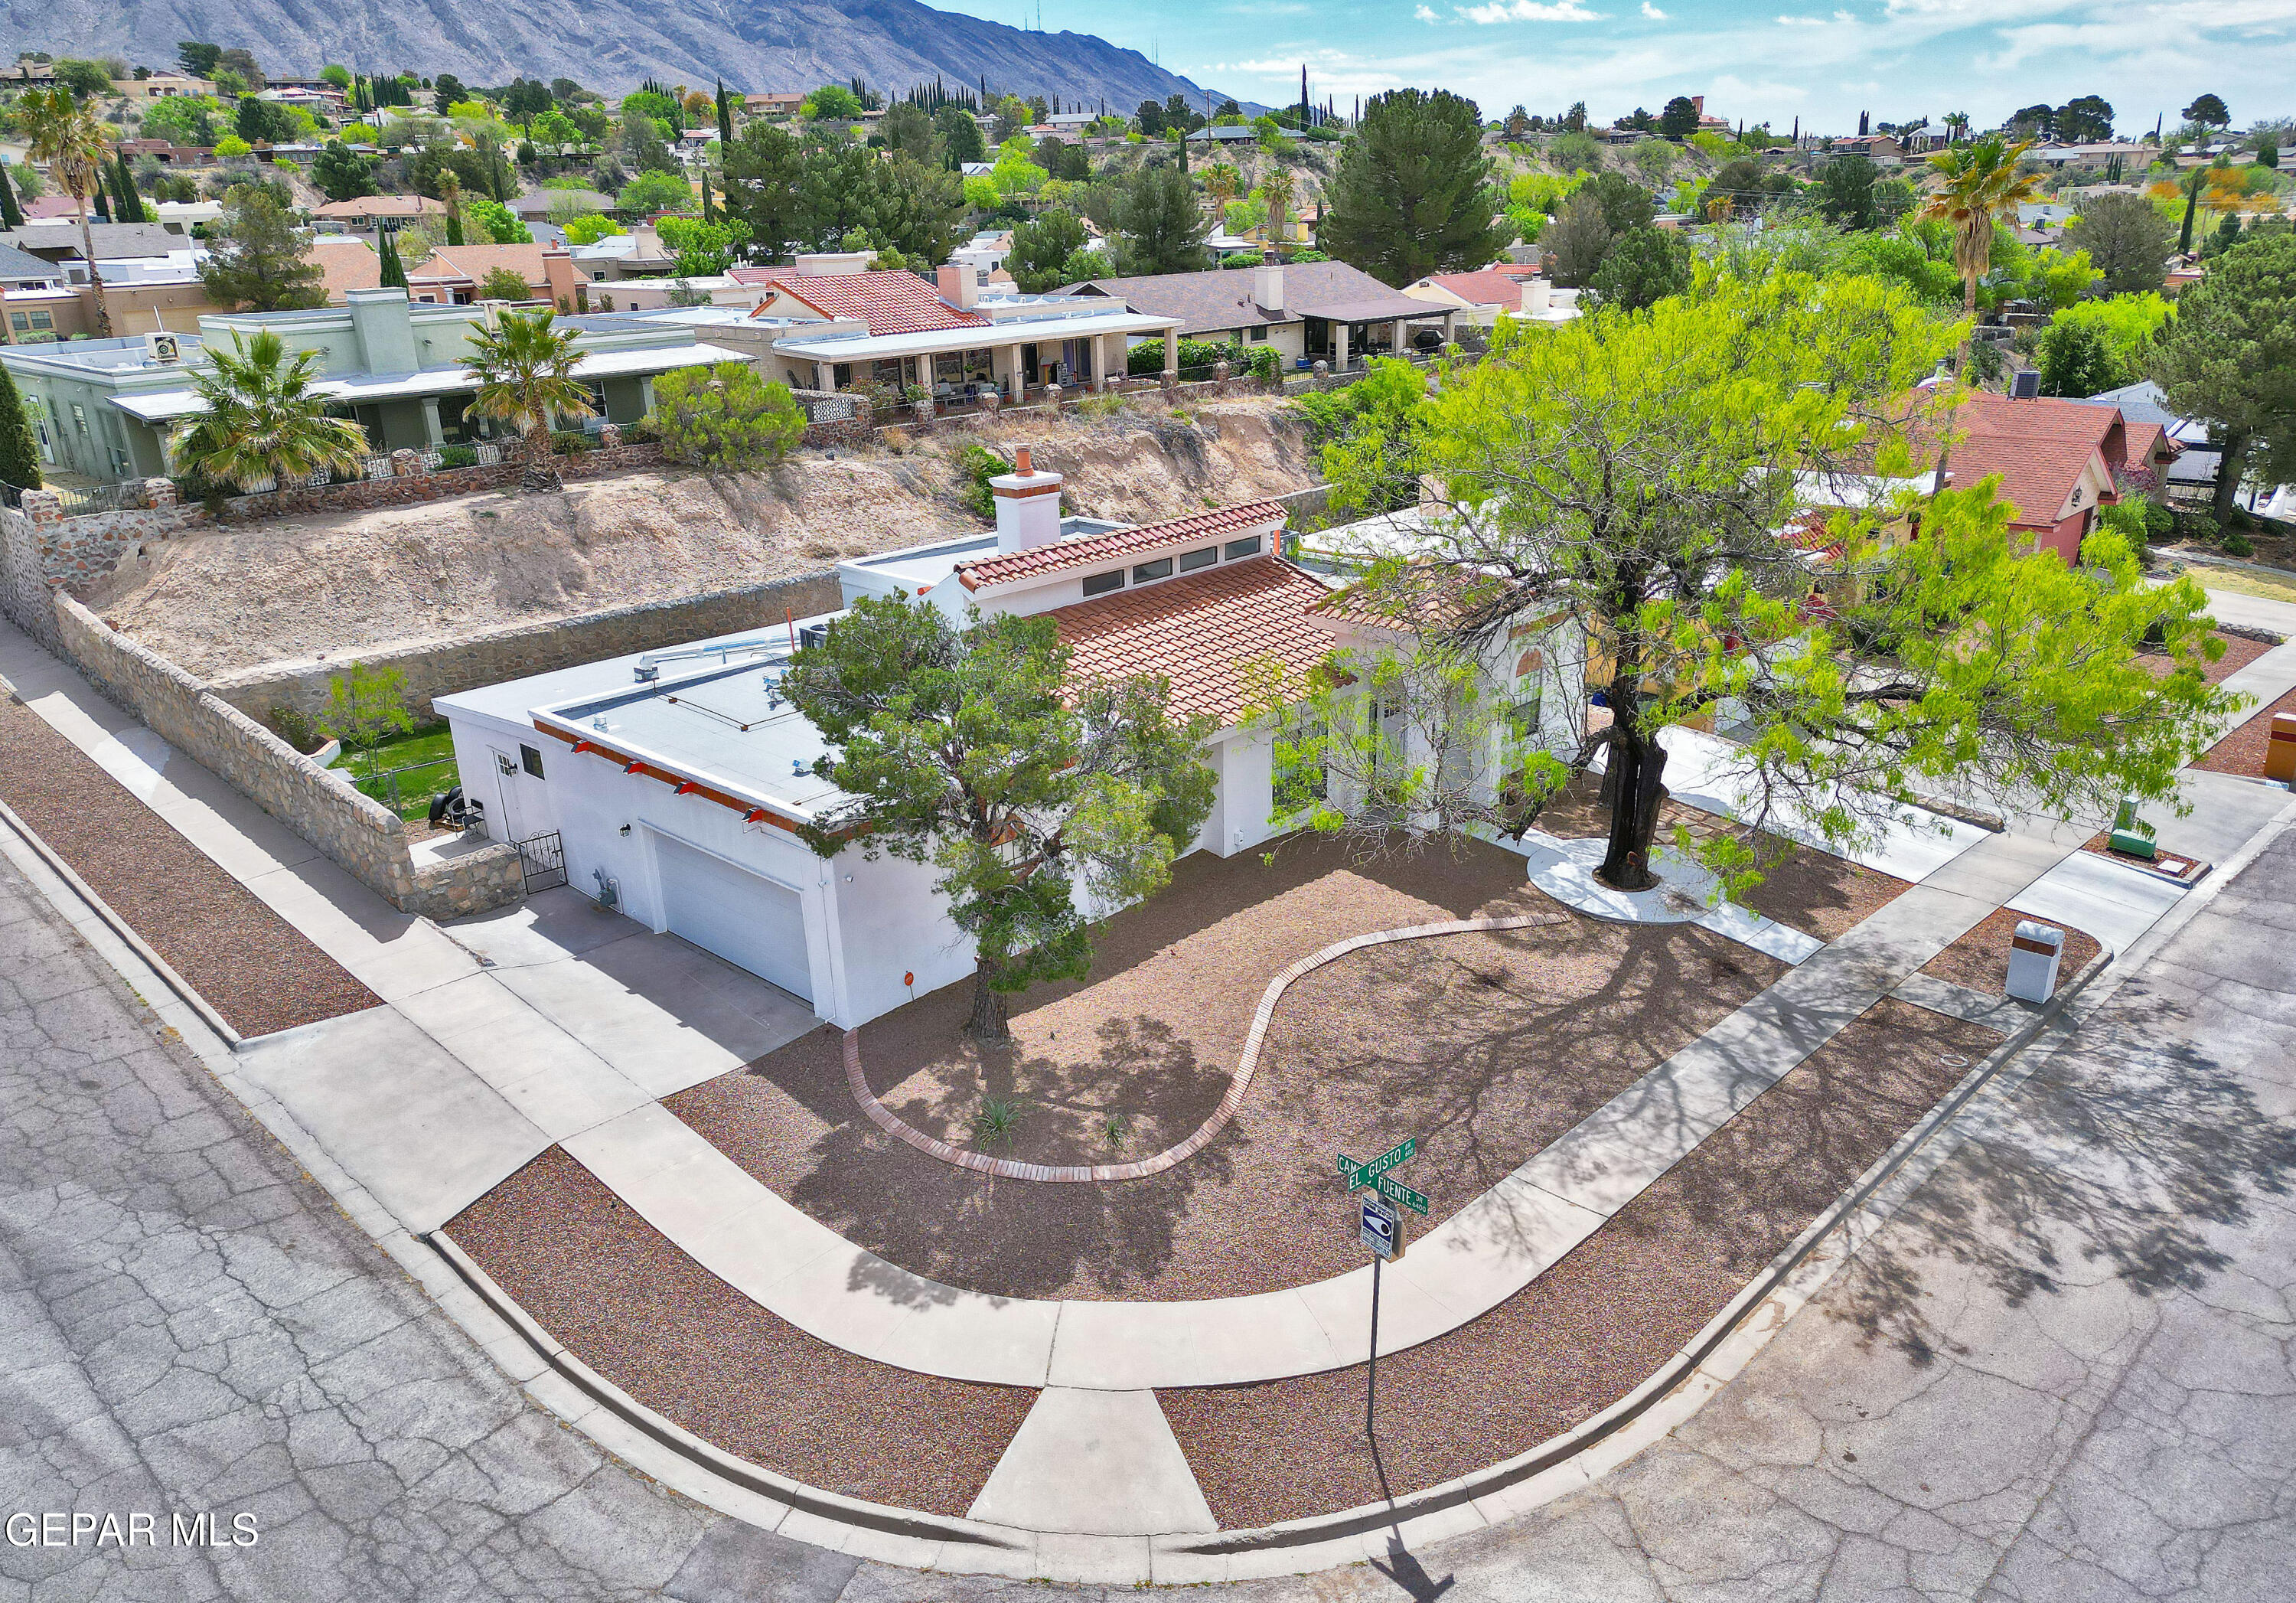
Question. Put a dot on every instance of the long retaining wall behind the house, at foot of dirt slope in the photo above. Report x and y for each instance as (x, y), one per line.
(518, 651)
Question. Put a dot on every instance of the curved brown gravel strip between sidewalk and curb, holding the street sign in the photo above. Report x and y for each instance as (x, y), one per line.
(1606, 1317)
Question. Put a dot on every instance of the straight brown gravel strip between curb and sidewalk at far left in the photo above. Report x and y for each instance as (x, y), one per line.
(251, 966)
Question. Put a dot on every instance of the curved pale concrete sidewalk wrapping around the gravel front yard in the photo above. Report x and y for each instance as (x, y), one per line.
(814, 1278)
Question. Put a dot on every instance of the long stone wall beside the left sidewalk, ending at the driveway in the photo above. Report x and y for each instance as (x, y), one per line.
(359, 835)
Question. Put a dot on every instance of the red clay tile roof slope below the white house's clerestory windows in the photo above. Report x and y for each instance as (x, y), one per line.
(1200, 633)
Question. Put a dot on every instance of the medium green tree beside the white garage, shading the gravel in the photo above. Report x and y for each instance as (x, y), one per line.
(975, 752)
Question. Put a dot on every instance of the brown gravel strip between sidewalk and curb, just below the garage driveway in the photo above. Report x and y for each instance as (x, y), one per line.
(681, 1340)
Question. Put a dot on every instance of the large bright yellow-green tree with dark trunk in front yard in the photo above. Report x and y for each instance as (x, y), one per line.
(1629, 486)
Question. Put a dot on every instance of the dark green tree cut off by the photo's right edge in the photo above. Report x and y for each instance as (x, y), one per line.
(2231, 355)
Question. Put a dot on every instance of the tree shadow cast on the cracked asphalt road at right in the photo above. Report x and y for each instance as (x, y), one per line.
(2125, 1154)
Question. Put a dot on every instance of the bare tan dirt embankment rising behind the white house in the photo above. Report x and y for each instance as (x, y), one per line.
(256, 594)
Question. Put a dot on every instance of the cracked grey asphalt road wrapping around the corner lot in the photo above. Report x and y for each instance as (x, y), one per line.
(2063, 1372)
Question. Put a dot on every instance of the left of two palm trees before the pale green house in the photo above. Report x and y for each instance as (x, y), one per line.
(263, 419)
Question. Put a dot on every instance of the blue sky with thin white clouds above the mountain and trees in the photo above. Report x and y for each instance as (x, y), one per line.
(1822, 63)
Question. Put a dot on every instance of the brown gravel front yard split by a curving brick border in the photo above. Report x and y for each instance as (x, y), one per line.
(1482, 1046)
